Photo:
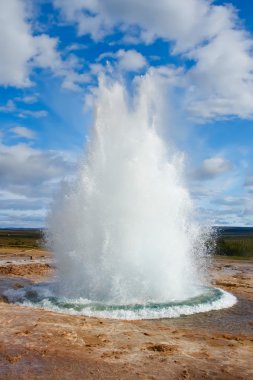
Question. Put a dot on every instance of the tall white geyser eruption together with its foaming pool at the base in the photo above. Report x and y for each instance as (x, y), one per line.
(123, 232)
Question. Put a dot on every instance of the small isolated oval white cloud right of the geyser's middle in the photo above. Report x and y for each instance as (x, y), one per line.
(212, 167)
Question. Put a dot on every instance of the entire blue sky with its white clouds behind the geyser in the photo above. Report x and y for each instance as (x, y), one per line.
(52, 54)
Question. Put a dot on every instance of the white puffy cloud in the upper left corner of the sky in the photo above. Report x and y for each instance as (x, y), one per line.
(23, 50)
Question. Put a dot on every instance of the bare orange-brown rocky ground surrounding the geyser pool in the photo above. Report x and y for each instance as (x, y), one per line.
(38, 344)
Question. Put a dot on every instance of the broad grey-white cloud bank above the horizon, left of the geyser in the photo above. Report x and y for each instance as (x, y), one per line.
(28, 179)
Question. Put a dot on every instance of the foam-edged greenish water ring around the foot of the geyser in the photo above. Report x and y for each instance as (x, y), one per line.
(41, 296)
